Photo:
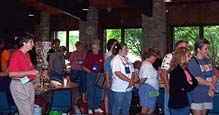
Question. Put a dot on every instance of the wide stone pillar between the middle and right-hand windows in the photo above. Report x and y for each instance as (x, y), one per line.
(155, 27)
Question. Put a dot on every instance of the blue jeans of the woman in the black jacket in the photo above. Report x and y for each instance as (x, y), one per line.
(180, 111)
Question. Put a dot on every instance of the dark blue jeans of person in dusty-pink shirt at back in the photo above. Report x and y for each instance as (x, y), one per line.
(79, 76)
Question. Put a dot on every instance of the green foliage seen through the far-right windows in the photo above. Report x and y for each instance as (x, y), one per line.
(190, 34)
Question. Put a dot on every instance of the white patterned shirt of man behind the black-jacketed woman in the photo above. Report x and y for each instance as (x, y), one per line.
(166, 61)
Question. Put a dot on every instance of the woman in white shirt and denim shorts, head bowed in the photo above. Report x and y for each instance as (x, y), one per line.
(149, 87)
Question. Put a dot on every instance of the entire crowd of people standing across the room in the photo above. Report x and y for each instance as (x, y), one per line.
(189, 79)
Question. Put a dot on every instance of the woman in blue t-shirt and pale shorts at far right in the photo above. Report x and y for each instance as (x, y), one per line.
(201, 67)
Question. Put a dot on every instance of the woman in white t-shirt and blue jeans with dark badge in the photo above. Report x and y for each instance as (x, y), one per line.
(122, 81)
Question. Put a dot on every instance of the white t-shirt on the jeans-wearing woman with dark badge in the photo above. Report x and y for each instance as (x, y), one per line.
(119, 63)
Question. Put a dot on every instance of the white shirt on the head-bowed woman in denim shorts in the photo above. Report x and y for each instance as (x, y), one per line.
(148, 71)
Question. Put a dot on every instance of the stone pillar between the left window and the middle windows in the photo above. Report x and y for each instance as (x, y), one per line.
(89, 29)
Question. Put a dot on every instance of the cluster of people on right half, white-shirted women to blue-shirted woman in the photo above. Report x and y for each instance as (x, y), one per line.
(189, 79)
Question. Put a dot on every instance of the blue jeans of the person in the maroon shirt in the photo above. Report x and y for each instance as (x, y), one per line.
(94, 93)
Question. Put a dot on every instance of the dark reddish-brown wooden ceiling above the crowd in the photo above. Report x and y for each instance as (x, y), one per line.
(65, 14)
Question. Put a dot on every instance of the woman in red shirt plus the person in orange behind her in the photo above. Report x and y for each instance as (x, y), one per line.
(17, 67)
